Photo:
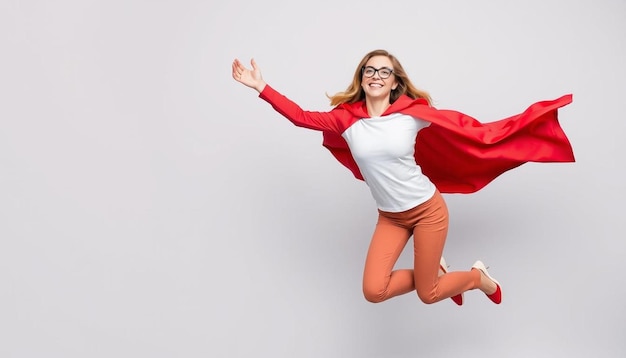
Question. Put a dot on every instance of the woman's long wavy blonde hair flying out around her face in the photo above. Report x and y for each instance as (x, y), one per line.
(355, 93)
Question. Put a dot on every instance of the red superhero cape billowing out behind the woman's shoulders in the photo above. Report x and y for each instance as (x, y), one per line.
(460, 154)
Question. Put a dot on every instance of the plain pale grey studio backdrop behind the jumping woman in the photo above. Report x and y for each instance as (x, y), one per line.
(150, 206)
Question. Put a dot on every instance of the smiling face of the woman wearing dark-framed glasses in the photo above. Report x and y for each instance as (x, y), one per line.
(373, 80)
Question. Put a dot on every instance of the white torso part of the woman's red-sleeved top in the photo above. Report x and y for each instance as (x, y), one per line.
(384, 148)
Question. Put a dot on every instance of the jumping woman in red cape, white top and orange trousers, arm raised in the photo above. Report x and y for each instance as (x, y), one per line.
(373, 130)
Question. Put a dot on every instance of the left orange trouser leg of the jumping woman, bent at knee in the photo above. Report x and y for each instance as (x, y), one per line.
(380, 281)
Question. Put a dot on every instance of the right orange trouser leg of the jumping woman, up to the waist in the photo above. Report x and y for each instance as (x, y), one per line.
(429, 237)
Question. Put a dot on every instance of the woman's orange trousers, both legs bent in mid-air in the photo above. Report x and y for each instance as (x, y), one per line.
(428, 223)
